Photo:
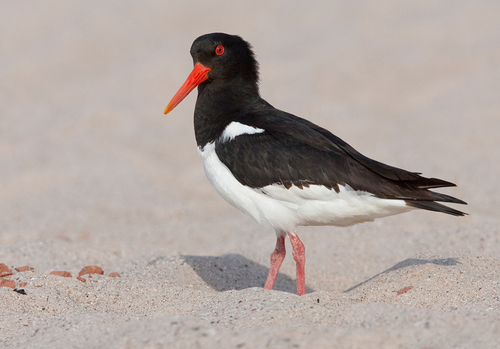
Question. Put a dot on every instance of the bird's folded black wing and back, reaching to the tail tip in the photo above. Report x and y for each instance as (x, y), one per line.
(294, 151)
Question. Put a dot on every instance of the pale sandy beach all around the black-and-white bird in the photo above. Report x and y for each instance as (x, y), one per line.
(92, 173)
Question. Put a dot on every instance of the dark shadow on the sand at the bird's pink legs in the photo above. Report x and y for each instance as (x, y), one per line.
(235, 272)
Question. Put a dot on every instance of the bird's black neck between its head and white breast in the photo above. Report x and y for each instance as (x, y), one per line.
(218, 104)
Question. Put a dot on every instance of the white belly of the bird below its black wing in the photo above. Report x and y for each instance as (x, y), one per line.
(284, 209)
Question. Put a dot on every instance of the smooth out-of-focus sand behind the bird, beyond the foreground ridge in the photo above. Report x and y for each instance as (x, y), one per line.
(91, 169)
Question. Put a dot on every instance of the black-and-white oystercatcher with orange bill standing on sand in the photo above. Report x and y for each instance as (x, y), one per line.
(282, 170)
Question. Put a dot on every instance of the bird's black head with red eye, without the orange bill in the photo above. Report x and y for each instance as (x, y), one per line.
(228, 57)
